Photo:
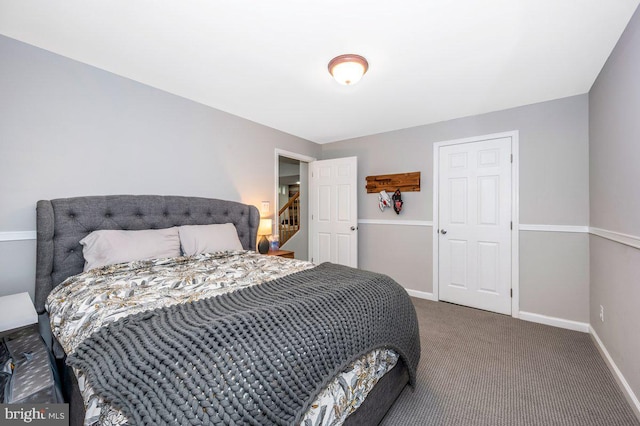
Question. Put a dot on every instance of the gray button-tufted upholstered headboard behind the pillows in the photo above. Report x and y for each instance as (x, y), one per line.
(63, 222)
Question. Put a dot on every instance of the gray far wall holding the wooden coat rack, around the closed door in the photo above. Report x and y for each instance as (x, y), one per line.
(554, 190)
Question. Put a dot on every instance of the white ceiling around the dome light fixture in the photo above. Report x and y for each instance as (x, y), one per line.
(266, 60)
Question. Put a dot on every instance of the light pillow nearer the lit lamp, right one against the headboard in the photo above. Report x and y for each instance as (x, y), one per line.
(197, 239)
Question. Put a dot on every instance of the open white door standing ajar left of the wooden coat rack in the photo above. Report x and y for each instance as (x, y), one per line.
(333, 206)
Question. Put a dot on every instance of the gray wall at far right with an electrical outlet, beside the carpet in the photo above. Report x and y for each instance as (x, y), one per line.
(614, 144)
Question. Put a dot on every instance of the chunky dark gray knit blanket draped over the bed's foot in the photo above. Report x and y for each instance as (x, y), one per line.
(258, 356)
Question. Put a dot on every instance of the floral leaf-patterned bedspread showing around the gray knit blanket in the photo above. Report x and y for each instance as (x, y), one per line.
(88, 301)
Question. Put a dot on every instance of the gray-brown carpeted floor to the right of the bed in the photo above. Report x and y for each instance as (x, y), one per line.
(479, 368)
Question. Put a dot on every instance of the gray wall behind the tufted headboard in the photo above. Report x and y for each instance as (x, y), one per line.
(68, 129)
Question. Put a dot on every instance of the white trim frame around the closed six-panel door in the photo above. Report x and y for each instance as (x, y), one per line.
(515, 212)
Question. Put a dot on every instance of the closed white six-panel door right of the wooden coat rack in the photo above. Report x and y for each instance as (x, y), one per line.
(474, 224)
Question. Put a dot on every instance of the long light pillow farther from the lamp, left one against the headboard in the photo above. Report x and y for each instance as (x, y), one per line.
(107, 247)
